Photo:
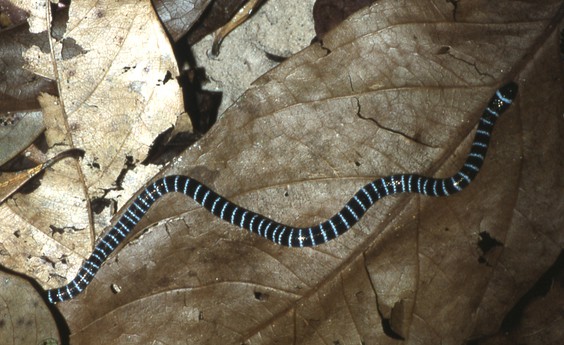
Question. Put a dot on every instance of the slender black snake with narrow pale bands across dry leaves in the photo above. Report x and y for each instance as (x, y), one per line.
(282, 234)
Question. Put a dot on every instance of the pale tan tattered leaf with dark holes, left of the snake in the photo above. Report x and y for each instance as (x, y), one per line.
(115, 72)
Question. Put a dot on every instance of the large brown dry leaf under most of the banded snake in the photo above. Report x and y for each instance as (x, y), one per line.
(396, 88)
